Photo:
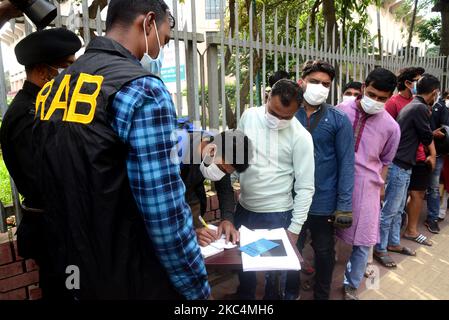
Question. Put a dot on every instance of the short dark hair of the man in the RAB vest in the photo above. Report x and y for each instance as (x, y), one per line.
(124, 12)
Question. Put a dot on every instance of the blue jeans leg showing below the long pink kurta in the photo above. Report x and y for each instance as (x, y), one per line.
(355, 269)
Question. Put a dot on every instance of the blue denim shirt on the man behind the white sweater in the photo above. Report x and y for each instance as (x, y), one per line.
(333, 141)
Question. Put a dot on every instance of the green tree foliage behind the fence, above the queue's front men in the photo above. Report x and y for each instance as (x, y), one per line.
(351, 15)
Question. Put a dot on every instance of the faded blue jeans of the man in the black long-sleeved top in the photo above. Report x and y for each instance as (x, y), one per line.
(391, 215)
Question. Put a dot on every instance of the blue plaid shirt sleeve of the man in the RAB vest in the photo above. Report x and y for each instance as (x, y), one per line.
(143, 115)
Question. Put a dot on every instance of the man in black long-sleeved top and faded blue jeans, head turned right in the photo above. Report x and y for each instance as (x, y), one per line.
(414, 121)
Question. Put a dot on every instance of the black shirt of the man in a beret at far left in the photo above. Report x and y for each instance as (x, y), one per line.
(15, 139)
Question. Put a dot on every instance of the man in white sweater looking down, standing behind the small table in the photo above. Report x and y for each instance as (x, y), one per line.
(284, 152)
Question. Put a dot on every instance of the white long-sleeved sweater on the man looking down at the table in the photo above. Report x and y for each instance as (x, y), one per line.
(280, 157)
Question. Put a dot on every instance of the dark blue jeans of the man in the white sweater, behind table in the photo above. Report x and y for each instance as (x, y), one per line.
(248, 281)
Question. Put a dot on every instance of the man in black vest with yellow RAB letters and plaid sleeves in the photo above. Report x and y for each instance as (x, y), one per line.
(103, 141)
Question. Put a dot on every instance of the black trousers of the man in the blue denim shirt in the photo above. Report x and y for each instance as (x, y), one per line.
(323, 244)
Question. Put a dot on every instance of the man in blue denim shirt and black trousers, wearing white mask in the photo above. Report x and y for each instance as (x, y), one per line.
(332, 202)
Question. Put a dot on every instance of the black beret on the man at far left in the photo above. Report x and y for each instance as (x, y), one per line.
(47, 46)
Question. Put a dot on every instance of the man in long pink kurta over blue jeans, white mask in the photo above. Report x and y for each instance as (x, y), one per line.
(374, 151)
